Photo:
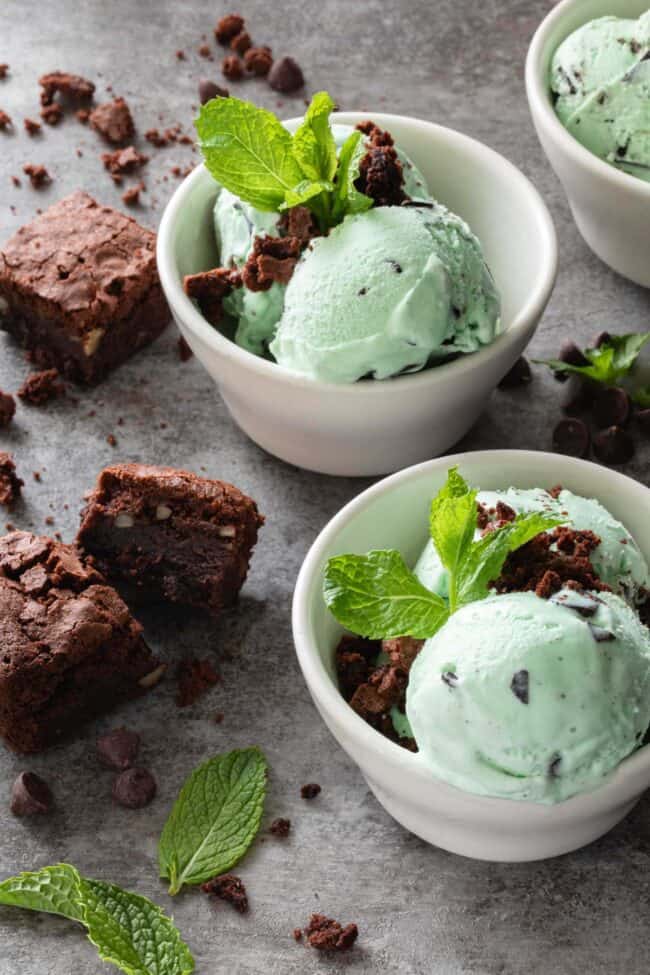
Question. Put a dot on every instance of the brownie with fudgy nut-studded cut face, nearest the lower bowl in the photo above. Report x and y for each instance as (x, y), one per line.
(168, 534)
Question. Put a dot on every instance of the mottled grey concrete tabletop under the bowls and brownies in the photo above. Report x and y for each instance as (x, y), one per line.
(419, 910)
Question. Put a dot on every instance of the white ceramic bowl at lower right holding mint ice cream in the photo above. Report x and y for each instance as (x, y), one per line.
(394, 514)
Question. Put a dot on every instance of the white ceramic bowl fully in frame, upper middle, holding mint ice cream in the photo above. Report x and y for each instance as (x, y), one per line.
(371, 428)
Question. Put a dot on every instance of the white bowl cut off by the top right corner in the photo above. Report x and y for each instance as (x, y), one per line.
(610, 208)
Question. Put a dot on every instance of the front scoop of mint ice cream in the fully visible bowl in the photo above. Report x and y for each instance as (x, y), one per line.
(384, 293)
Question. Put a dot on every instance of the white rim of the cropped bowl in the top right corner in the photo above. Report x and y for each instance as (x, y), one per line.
(538, 92)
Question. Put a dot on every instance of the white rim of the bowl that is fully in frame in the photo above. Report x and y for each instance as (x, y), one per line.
(530, 311)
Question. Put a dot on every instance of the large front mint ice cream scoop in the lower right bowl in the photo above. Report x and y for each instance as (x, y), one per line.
(524, 698)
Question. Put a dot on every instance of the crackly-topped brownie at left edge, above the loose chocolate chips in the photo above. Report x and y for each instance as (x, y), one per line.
(70, 647)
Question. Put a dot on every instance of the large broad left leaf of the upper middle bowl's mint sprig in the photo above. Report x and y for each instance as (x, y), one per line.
(248, 150)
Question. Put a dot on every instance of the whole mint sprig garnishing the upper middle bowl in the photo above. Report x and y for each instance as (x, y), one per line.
(249, 151)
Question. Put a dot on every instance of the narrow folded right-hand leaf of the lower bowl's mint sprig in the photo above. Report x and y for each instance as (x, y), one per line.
(486, 557)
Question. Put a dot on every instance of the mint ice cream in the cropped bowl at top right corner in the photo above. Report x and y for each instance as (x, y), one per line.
(600, 77)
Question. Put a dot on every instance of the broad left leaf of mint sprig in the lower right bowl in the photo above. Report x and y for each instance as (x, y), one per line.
(377, 596)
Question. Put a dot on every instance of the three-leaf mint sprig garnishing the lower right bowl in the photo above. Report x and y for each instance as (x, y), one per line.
(378, 596)
